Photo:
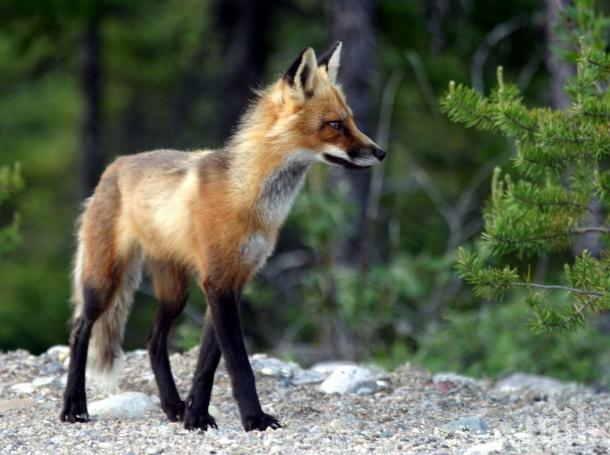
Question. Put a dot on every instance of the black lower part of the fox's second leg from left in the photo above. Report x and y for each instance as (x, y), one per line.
(171, 403)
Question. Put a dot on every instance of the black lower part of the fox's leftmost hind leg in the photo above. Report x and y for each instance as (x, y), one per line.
(75, 400)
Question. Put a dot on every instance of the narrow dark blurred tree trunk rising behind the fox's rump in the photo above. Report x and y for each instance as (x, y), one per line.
(92, 155)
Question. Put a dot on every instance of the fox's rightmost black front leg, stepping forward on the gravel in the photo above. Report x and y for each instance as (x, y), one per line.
(225, 318)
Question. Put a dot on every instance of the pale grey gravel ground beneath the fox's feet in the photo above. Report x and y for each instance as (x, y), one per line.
(406, 411)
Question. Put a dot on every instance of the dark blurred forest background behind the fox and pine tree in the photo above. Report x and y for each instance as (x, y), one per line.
(364, 268)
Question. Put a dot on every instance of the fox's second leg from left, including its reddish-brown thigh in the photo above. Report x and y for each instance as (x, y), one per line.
(171, 283)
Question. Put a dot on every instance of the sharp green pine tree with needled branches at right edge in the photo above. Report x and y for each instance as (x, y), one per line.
(562, 162)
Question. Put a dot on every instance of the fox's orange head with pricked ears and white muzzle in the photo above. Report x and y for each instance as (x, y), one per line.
(315, 117)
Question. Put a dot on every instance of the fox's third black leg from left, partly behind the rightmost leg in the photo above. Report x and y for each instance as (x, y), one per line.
(198, 401)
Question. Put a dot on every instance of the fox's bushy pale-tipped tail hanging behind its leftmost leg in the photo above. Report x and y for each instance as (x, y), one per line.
(105, 356)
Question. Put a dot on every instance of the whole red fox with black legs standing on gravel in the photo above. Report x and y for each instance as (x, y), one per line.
(212, 214)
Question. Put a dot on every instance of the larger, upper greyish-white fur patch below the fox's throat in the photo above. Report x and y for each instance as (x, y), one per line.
(281, 187)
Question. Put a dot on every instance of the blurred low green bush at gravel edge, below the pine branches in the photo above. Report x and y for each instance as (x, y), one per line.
(491, 340)
